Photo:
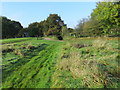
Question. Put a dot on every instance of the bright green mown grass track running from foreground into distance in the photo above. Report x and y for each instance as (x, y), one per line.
(35, 69)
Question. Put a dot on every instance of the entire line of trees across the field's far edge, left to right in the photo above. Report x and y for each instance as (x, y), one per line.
(103, 21)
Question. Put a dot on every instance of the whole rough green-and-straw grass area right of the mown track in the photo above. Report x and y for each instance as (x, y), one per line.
(94, 65)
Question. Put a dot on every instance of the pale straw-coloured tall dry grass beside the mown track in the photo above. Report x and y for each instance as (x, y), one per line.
(93, 72)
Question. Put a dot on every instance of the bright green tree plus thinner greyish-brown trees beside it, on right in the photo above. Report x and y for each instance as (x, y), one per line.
(104, 20)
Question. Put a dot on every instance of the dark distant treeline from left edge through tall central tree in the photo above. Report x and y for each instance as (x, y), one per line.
(53, 25)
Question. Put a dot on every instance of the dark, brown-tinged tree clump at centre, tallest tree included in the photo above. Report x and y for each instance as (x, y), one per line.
(51, 26)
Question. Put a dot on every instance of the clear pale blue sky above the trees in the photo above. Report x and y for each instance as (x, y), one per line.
(29, 12)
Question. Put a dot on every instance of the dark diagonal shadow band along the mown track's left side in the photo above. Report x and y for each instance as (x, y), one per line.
(14, 66)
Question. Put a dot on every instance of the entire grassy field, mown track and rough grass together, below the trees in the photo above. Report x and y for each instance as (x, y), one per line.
(75, 63)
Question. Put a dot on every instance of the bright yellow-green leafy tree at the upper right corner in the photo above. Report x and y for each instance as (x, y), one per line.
(108, 16)
